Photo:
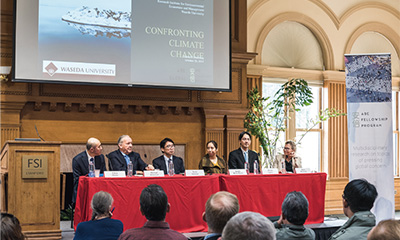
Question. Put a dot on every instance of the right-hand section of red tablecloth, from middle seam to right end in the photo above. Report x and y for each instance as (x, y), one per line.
(265, 193)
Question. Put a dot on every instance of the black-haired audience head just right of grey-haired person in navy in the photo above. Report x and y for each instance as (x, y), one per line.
(154, 203)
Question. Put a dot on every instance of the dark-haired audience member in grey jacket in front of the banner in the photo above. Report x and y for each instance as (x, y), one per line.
(358, 199)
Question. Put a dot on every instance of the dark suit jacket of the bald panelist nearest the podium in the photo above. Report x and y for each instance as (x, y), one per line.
(80, 167)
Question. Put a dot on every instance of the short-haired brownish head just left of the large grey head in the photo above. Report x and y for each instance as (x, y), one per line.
(220, 207)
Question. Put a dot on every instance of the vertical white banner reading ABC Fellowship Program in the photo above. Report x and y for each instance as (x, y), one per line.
(369, 109)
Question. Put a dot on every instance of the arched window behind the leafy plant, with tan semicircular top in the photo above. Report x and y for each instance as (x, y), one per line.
(292, 45)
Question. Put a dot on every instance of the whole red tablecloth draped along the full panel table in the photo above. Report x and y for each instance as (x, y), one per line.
(188, 195)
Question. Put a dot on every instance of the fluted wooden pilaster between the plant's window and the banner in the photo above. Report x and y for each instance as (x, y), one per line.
(337, 132)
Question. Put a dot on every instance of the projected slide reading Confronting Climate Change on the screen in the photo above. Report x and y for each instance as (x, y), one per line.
(162, 43)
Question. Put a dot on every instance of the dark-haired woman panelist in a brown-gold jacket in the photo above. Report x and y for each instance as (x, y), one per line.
(211, 162)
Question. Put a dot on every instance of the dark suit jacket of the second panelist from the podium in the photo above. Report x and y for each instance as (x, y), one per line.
(117, 162)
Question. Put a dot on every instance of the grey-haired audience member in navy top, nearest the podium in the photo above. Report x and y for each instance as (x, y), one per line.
(101, 227)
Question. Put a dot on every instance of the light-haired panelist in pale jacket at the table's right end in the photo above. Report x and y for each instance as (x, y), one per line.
(288, 158)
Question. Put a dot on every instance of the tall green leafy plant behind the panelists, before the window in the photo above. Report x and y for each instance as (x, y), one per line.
(267, 117)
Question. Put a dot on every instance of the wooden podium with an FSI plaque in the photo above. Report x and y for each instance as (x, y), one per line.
(30, 186)
